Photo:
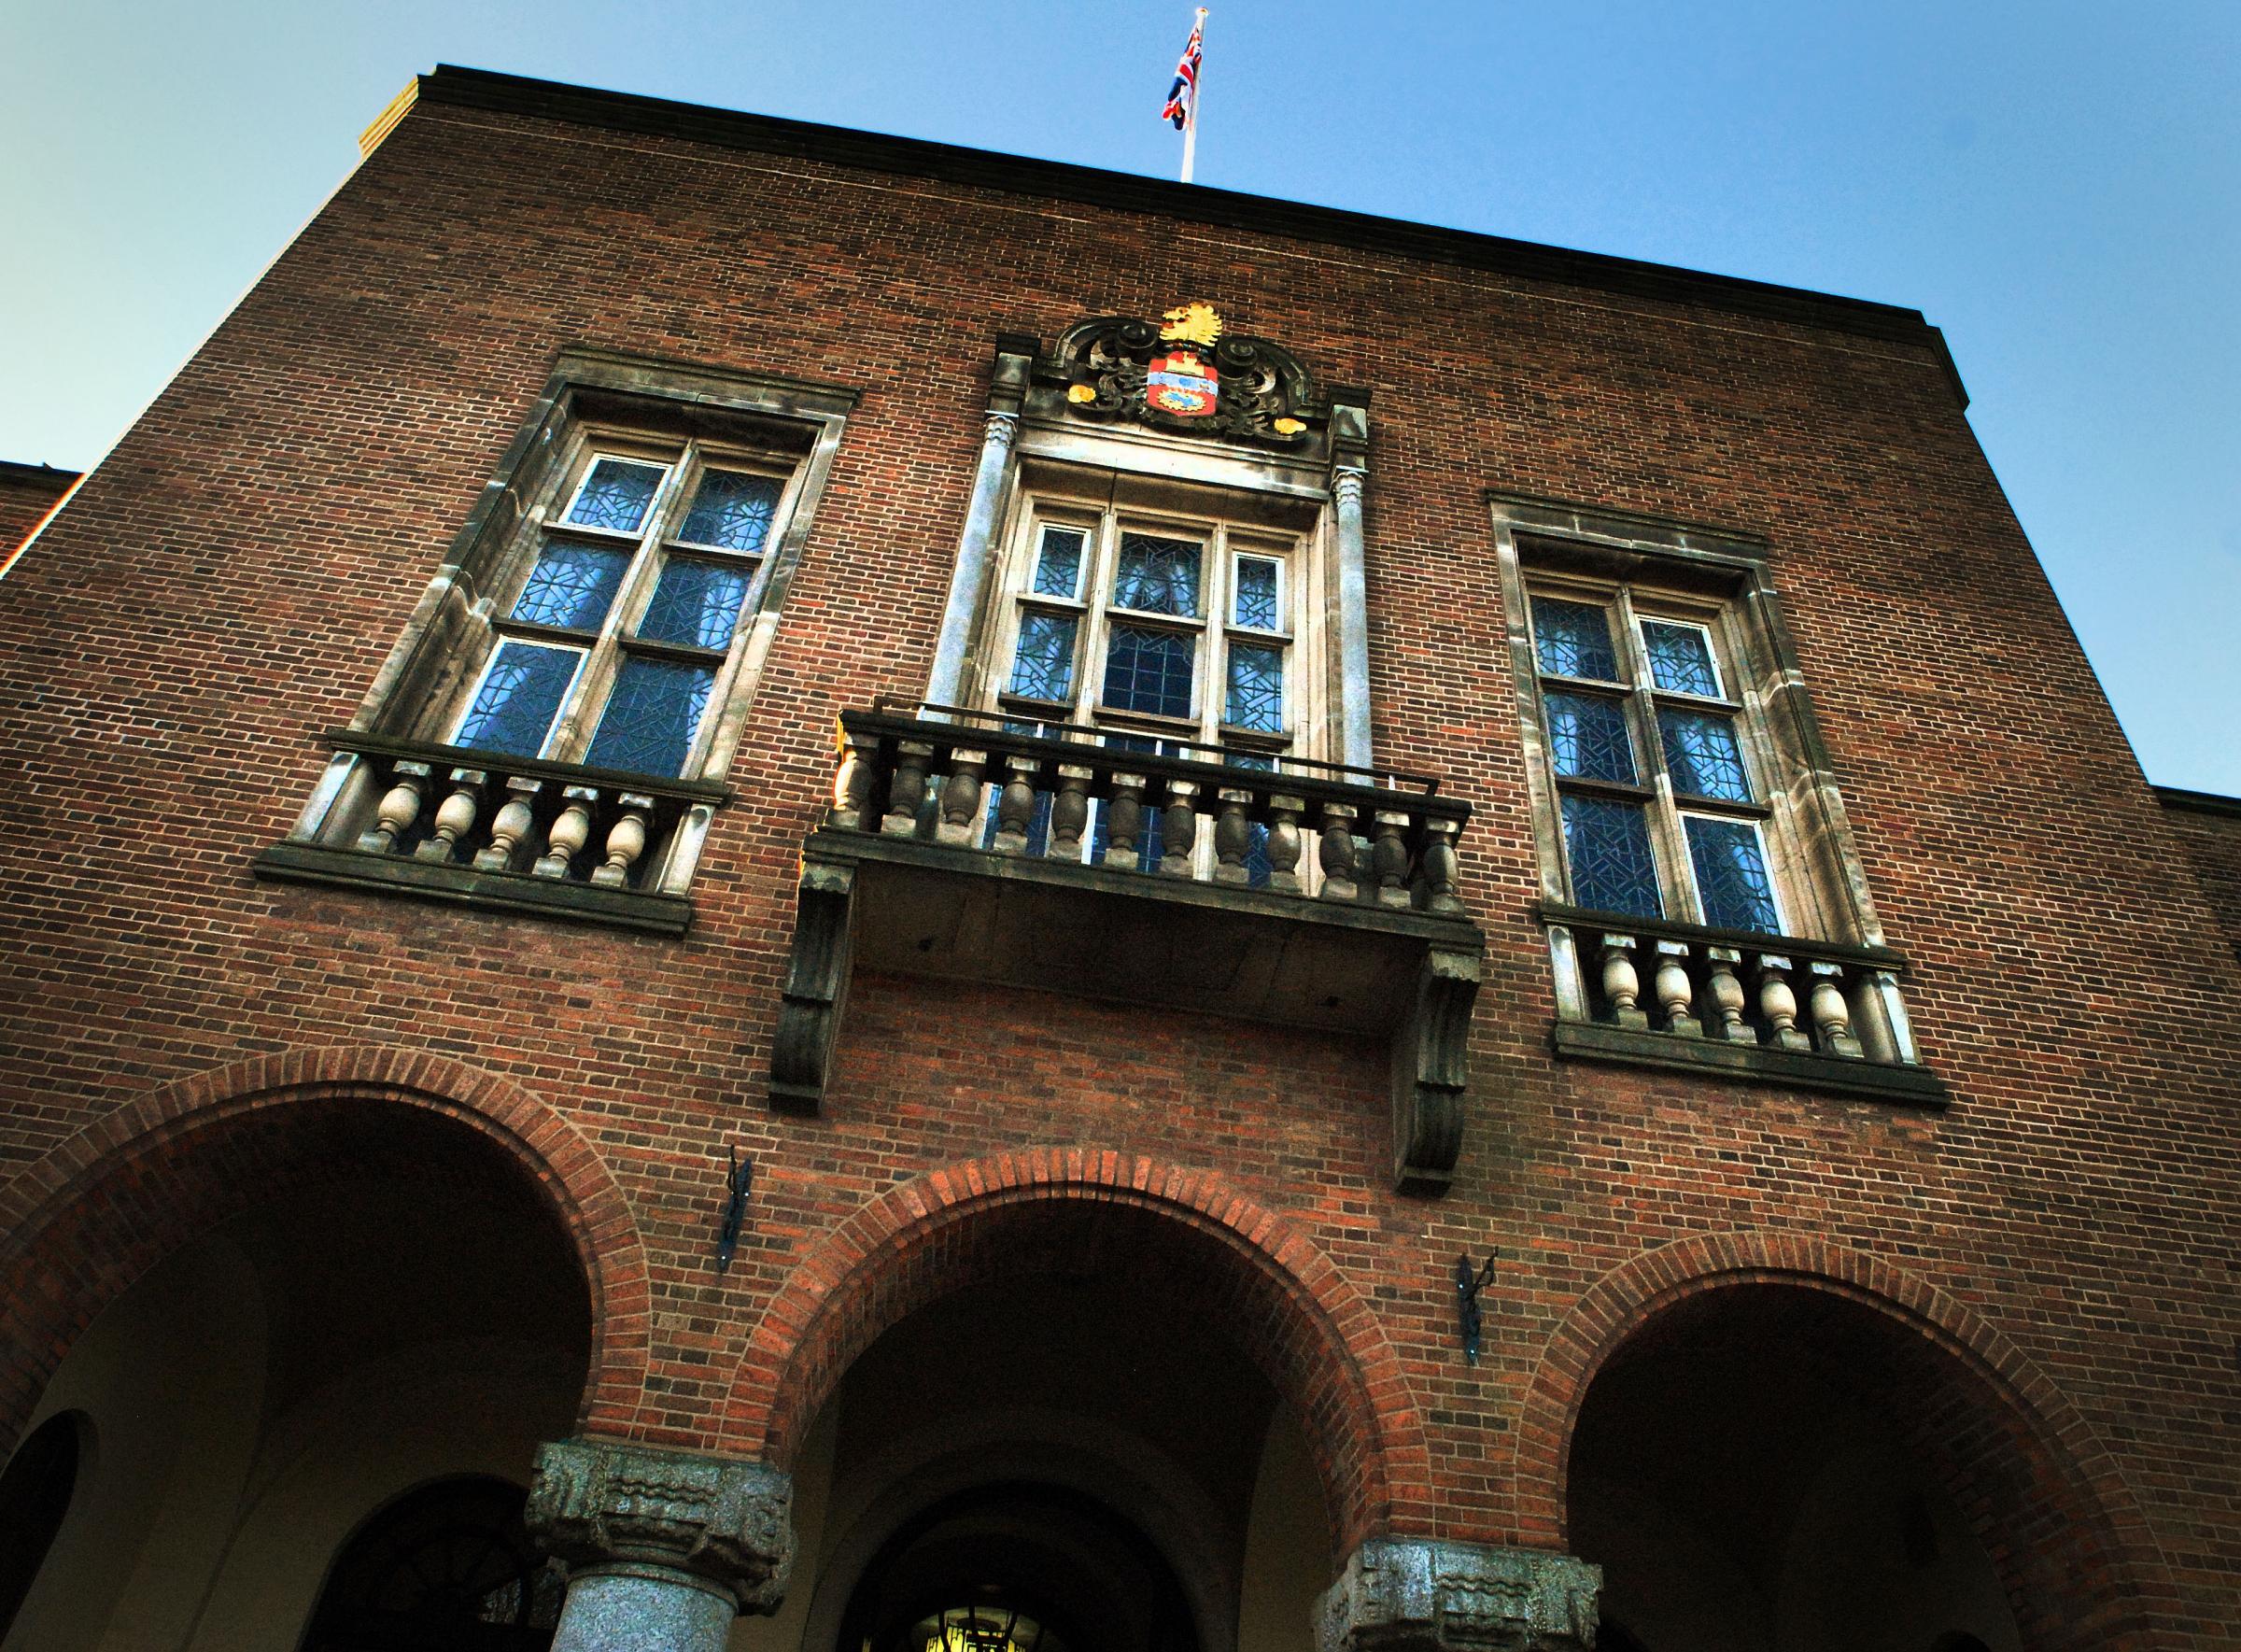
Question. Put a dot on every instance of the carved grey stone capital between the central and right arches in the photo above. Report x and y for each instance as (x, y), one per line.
(1411, 1595)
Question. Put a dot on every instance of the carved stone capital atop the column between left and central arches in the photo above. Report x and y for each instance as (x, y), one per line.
(620, 1510)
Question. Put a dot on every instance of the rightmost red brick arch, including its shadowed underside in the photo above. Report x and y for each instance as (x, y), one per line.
(2061, 1523)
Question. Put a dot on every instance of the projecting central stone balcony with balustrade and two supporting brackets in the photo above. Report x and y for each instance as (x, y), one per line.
(1045, 860)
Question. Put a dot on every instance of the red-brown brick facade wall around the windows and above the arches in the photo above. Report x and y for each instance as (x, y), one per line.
(230, 579)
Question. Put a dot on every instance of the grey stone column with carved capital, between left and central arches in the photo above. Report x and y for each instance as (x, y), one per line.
(662, 1548)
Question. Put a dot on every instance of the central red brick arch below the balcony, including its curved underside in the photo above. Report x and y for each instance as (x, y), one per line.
(996, 1218)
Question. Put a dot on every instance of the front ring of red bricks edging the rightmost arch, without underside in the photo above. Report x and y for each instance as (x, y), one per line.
(1637, 1292)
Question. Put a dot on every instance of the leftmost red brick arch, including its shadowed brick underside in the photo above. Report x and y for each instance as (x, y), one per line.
(104, 1207)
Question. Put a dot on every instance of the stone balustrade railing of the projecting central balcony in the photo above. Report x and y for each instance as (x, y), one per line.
(1303, 828)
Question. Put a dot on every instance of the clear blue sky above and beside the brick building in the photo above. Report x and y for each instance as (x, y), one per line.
(2056, 185)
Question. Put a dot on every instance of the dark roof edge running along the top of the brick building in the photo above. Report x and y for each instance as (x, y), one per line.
(1126, 192)
